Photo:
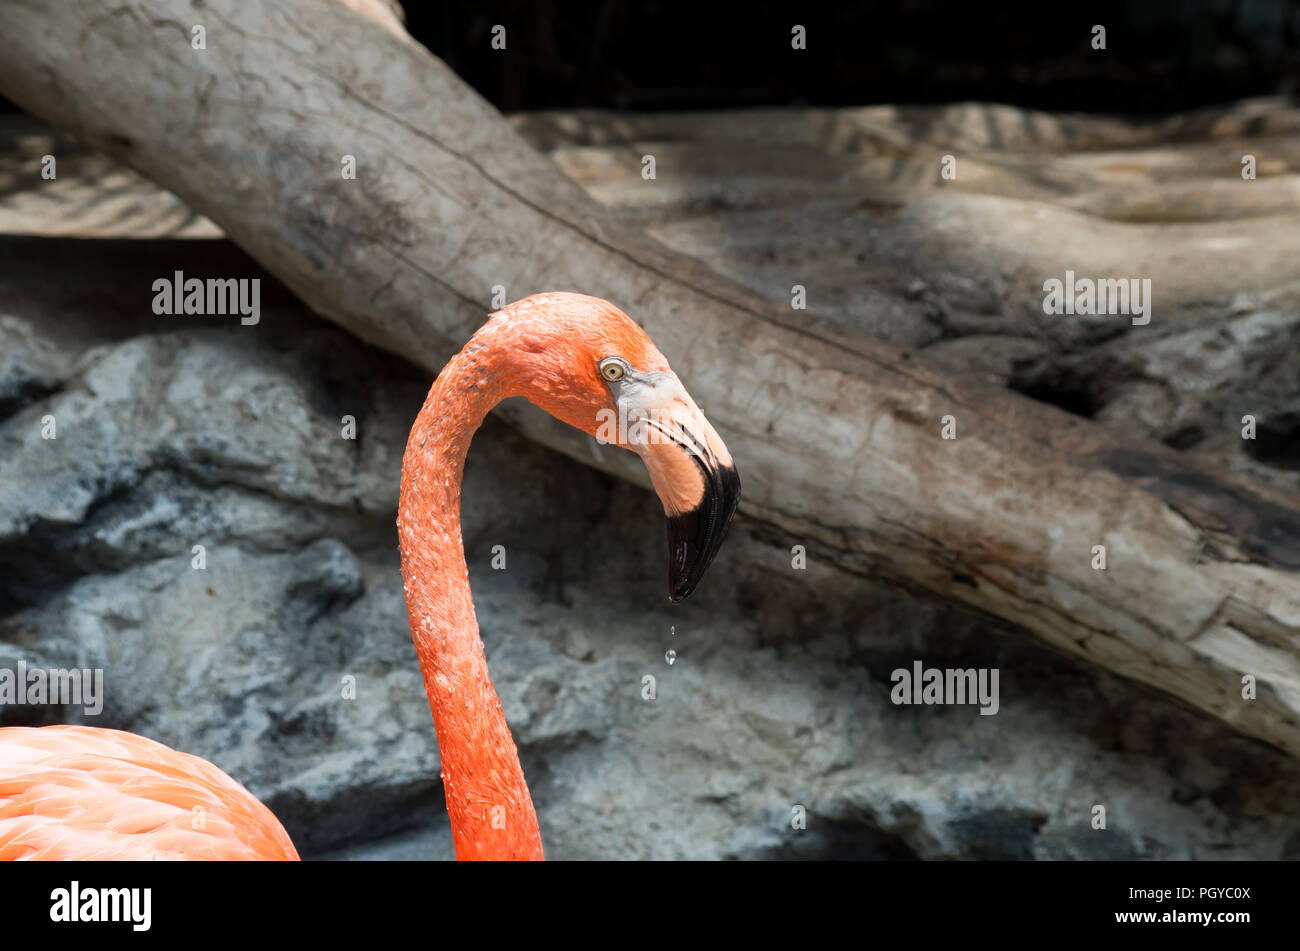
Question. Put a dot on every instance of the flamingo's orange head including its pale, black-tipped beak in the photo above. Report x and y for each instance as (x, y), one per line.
(587, 363)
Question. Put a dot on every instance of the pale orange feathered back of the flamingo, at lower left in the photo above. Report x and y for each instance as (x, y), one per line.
(85, 793)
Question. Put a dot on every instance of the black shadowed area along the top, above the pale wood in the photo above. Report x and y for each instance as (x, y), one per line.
(1162, 57)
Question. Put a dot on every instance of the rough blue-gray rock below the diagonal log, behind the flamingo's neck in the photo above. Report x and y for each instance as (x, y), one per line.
(174, 436)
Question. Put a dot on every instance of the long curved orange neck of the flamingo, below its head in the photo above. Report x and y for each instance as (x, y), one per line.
(492, 813)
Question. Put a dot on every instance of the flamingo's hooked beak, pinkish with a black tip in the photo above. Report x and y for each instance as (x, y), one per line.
(696, 480)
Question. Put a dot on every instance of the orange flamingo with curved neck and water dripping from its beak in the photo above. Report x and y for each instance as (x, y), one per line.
(84, 793)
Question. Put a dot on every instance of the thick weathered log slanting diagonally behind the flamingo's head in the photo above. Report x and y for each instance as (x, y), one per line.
(838, 435)
